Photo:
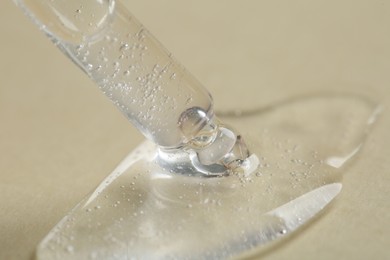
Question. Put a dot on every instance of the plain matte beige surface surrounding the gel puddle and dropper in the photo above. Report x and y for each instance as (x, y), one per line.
(59, 136)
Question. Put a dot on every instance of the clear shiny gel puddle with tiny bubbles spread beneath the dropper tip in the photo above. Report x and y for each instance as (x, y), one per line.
(144, 211)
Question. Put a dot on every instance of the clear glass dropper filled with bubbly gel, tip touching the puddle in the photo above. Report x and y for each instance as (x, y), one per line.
(157, 95)
